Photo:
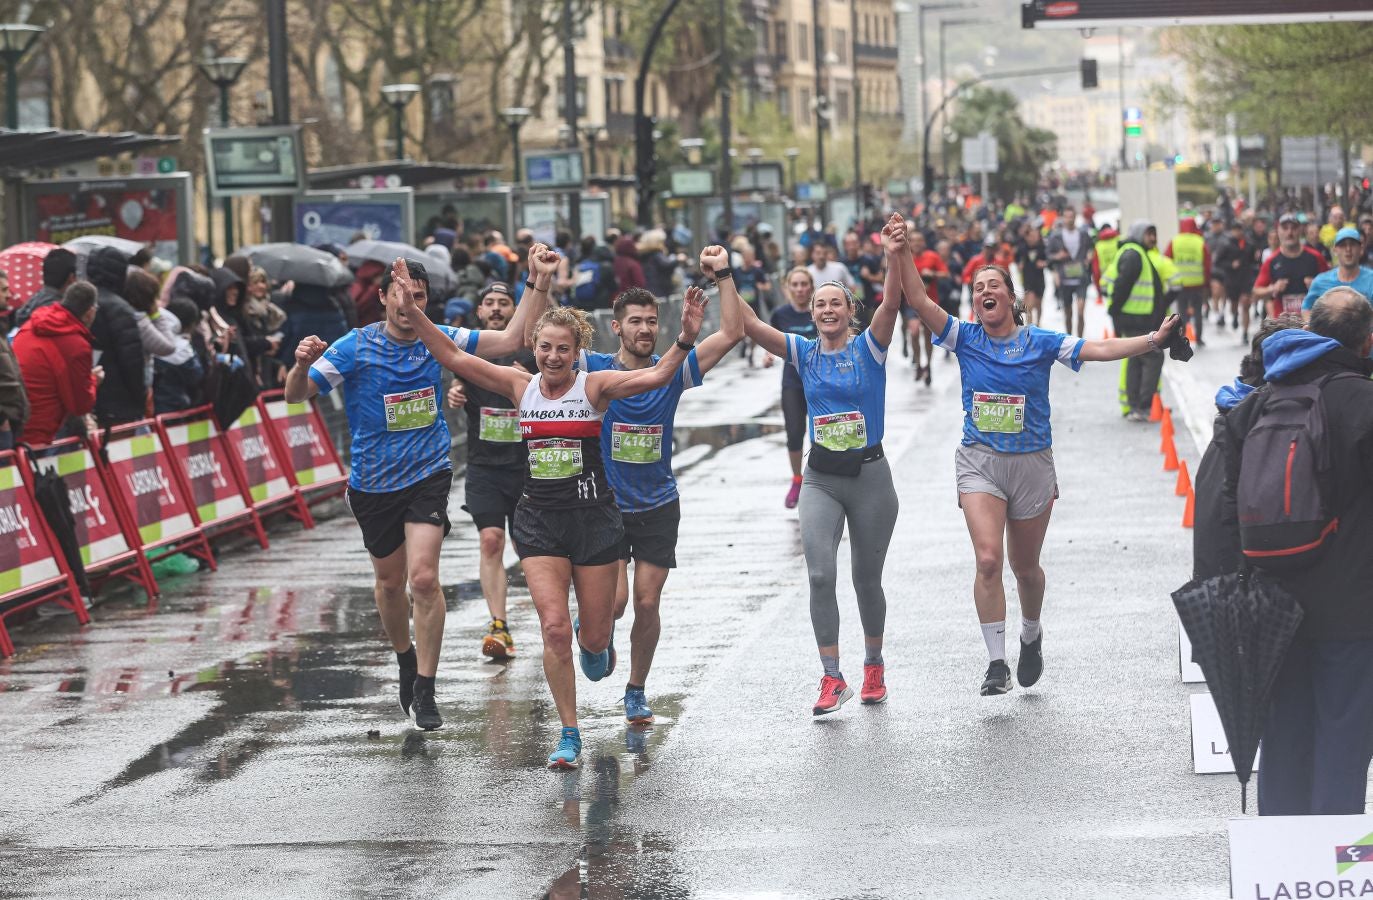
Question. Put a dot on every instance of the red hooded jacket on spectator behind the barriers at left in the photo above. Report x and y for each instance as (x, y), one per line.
(54, 352)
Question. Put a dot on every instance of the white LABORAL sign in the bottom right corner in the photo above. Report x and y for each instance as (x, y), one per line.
(1301, 858)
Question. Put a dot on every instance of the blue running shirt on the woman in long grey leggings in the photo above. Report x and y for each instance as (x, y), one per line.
(846, 391)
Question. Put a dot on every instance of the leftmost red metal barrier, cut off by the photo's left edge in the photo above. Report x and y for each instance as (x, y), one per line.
(32, 567)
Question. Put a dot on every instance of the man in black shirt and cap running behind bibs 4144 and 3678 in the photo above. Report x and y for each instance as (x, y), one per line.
(495, 465)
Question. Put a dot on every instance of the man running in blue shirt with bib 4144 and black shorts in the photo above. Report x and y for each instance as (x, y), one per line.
(402, 475)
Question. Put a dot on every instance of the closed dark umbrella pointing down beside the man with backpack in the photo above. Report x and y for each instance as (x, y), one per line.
(1241, 627)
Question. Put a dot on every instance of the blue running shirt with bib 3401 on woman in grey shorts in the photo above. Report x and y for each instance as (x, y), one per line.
(1006, 383)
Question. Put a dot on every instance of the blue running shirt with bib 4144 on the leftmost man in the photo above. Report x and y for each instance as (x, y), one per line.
(393, 396)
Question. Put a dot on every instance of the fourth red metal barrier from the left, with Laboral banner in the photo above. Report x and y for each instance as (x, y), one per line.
(218, 498)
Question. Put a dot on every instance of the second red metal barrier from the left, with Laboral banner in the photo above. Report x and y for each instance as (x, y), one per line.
(109, 546)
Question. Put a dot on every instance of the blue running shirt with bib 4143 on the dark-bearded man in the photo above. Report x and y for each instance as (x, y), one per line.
(638, 436)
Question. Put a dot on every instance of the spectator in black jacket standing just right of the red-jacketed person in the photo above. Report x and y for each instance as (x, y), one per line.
(123, 395)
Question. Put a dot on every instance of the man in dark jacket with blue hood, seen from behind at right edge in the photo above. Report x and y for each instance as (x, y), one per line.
(1319, 739)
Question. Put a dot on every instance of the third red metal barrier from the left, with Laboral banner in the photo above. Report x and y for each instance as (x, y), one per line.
(152, 493)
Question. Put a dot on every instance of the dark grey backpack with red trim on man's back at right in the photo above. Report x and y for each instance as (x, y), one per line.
(1284, 495)
